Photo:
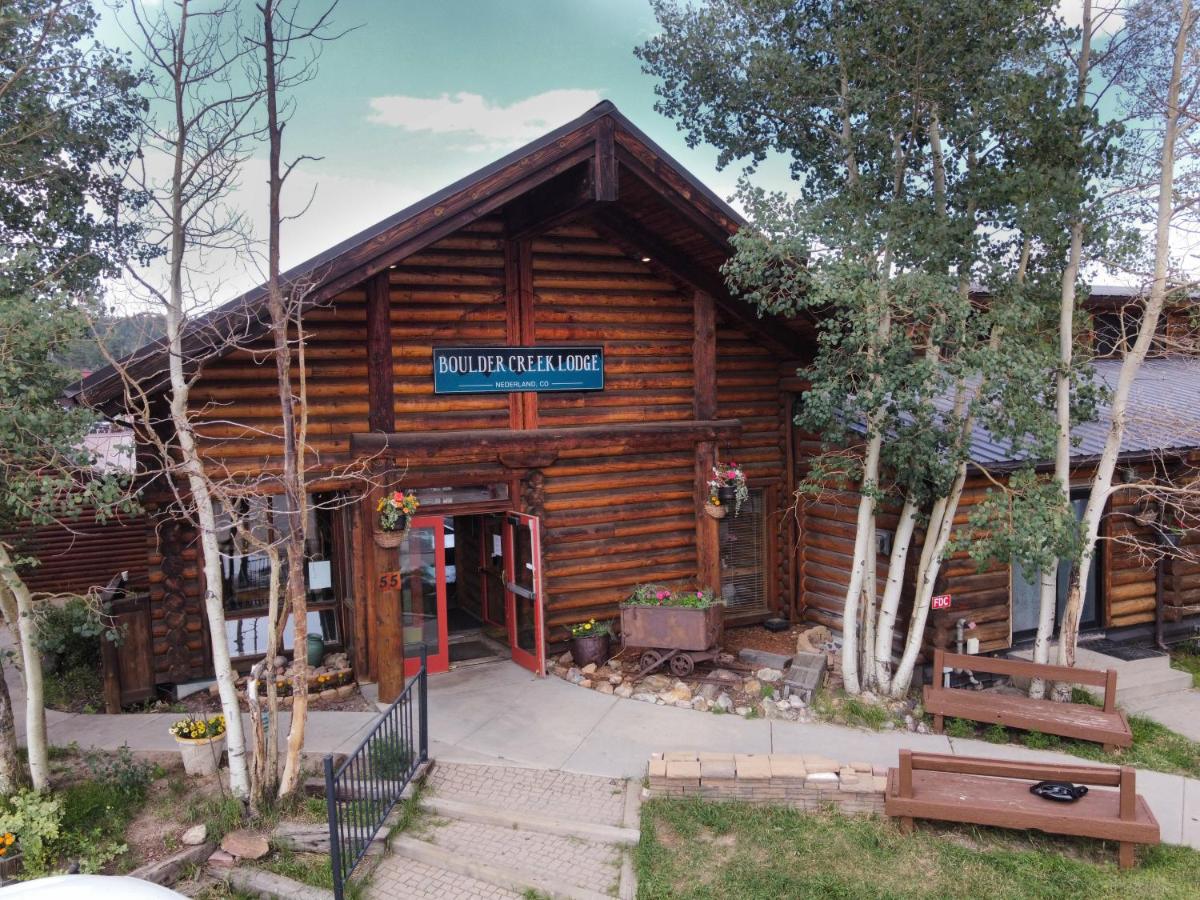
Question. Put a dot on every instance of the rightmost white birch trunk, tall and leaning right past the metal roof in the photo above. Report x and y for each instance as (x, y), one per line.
(1102, 483)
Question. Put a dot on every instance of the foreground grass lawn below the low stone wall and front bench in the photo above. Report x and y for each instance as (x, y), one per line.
(699, 850)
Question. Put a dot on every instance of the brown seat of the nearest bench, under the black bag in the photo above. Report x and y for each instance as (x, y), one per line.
(1007, 803)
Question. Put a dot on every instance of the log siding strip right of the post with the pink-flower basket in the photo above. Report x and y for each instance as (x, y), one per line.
(748, 389)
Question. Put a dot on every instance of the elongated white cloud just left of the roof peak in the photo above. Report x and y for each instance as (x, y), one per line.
(488, 127)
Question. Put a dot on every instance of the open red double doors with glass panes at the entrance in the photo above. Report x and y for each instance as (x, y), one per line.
(423, 592)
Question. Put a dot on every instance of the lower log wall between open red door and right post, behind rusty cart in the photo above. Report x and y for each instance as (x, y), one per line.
(614, 523)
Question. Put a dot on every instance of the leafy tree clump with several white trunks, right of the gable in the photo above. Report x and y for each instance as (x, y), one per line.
(922, 139)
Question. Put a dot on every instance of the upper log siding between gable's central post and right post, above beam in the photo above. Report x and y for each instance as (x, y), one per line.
(587, 292)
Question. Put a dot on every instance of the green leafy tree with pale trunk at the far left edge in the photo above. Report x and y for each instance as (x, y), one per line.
(68, 112)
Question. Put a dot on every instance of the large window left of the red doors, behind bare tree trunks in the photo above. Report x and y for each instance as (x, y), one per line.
(247, 572)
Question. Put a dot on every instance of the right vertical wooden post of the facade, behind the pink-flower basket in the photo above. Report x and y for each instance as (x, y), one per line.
(704, 358)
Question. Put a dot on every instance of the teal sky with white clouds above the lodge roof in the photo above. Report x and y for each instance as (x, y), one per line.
(422, 93)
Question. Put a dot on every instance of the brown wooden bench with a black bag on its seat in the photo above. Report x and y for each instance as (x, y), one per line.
(997, 793)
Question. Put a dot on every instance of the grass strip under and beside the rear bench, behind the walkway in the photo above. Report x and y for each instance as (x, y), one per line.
(1155, 747)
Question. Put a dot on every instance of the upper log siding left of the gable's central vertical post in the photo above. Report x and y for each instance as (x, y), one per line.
(452, 293)
